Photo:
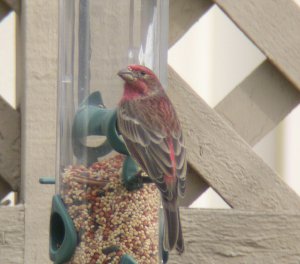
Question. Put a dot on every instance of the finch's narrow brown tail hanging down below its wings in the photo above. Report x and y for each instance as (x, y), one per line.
(172, 228)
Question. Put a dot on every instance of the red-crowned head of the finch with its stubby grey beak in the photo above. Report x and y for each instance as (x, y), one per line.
(140, 79)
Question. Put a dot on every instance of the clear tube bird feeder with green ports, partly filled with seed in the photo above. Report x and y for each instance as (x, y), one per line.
(105, 210)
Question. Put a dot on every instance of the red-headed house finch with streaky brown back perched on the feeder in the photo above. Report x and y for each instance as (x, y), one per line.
(151, 130)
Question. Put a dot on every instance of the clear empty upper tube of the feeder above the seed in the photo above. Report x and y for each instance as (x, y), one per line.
(98, 38)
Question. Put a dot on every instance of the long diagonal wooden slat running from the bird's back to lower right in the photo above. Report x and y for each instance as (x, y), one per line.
(224, 159)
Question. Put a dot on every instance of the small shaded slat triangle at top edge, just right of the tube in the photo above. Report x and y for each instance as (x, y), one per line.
(183, 14)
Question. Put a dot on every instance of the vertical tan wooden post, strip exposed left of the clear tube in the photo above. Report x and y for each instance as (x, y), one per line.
(39, 80)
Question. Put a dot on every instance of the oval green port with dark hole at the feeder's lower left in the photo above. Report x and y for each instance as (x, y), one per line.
(63, 236)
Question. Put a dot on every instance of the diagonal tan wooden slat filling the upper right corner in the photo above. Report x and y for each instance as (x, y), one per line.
(274, 27)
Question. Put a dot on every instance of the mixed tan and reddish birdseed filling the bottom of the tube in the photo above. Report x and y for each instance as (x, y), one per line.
(110, 221)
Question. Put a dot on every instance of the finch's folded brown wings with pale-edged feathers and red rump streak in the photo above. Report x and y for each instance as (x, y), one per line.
(153, 148)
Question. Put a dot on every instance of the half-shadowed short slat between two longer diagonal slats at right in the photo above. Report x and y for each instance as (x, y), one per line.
(259, 103)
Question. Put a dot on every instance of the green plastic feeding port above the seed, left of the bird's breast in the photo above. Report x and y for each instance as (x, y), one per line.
(92, 119)
